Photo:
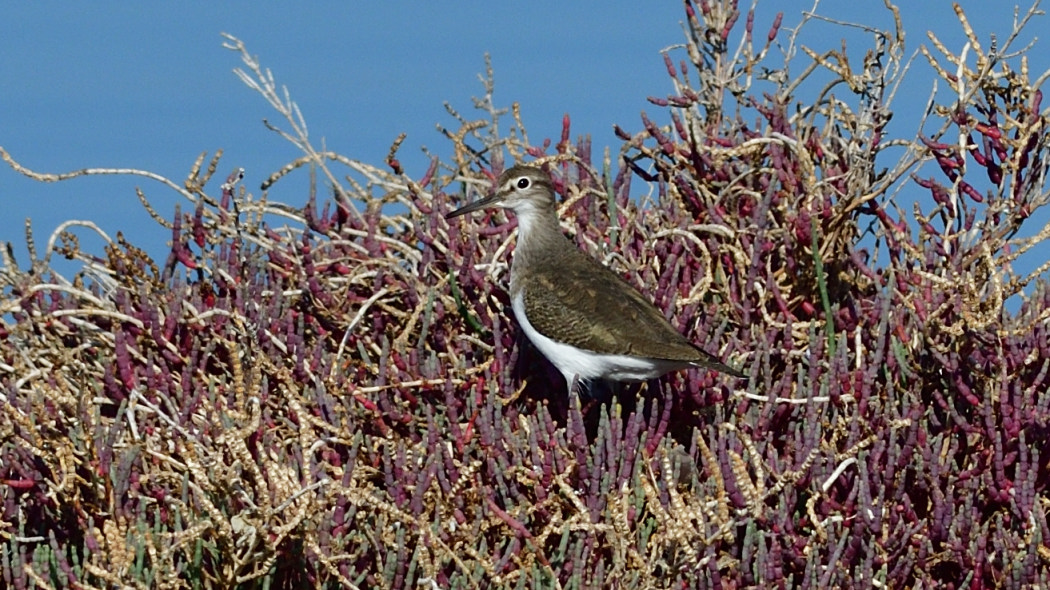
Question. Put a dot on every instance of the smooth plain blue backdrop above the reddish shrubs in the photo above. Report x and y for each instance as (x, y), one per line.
(150, 87)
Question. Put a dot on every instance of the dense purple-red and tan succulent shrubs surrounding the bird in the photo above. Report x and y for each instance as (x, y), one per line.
(337, 395)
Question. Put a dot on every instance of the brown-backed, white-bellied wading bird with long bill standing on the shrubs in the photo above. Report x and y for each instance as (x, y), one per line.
(582, 317)
